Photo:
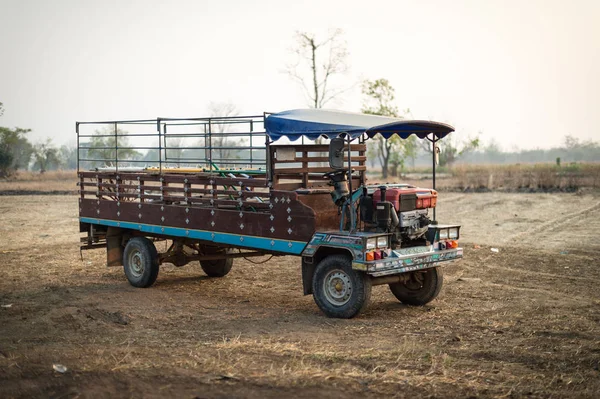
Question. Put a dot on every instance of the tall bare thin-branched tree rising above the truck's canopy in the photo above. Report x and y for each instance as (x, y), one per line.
(323, 60)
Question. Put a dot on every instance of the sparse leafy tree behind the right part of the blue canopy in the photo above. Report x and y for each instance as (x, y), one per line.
(380, 98)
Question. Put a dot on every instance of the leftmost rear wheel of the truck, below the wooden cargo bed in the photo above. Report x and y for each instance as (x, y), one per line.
(140, 261)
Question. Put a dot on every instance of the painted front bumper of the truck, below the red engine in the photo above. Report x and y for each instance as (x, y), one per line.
(399, 262)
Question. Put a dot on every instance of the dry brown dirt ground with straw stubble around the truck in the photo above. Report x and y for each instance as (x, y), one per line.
(523, 321)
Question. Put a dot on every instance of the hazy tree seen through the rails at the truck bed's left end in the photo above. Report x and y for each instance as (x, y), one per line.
(106, 146)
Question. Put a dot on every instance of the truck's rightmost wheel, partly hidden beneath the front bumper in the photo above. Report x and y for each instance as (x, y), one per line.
(422, 288)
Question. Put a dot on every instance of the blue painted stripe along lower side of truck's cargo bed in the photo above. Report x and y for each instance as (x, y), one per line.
(290, 247)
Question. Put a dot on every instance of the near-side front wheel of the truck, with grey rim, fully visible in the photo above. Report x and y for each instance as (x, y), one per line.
(338, 290)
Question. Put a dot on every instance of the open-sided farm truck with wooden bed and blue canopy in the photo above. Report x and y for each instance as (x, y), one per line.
(288, 183)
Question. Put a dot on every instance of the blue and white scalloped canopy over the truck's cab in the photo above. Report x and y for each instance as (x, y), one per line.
(313, 123)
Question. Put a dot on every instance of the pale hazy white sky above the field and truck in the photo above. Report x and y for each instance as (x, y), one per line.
(522, 73)
